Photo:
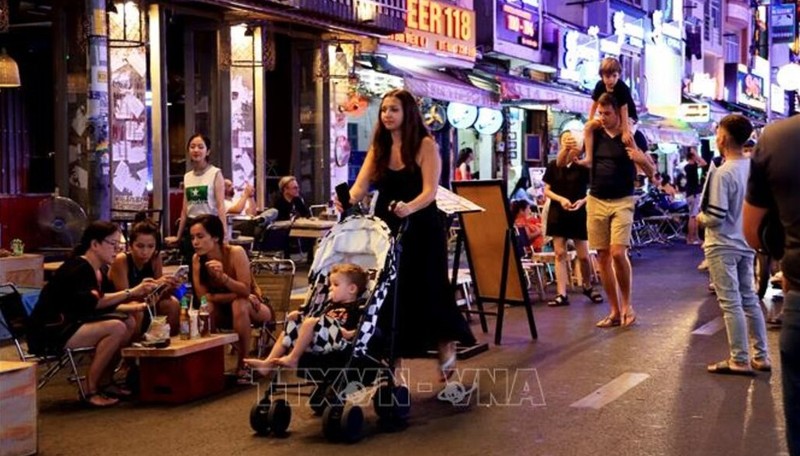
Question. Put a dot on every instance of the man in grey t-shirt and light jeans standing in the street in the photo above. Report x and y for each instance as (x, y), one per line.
(730, 258)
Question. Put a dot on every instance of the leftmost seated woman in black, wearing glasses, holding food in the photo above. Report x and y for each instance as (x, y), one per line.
(73, 309)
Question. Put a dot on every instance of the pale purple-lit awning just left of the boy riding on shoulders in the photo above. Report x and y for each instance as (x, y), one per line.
(517, 91)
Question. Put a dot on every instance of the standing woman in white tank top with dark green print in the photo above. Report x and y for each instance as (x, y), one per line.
(203, 189)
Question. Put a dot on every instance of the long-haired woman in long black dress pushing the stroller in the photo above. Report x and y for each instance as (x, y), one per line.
(404, 165)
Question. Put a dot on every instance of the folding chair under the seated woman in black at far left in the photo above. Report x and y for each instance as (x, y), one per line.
(15, 319)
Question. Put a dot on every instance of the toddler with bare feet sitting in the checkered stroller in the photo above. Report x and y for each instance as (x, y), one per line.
(332, 331)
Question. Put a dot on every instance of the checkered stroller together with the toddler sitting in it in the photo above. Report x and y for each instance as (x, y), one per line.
(334, 351)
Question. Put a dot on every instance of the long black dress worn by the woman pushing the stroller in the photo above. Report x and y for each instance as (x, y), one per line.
(427, 313)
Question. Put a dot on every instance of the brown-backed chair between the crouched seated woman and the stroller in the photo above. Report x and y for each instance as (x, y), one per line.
(275, 278)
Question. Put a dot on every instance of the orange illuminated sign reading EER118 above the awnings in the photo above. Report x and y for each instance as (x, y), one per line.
(438, 28)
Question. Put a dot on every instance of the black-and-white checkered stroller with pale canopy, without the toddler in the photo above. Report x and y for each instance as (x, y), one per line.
(367, 242)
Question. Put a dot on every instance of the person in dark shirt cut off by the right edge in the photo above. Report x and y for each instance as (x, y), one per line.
(775, 183)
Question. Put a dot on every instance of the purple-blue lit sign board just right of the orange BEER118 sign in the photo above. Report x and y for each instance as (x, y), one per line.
(518, 22)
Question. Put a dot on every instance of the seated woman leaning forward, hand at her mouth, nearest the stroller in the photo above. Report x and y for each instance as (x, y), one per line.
(221, 273)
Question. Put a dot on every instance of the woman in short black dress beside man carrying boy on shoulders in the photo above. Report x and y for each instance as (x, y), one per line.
(566, 183)
